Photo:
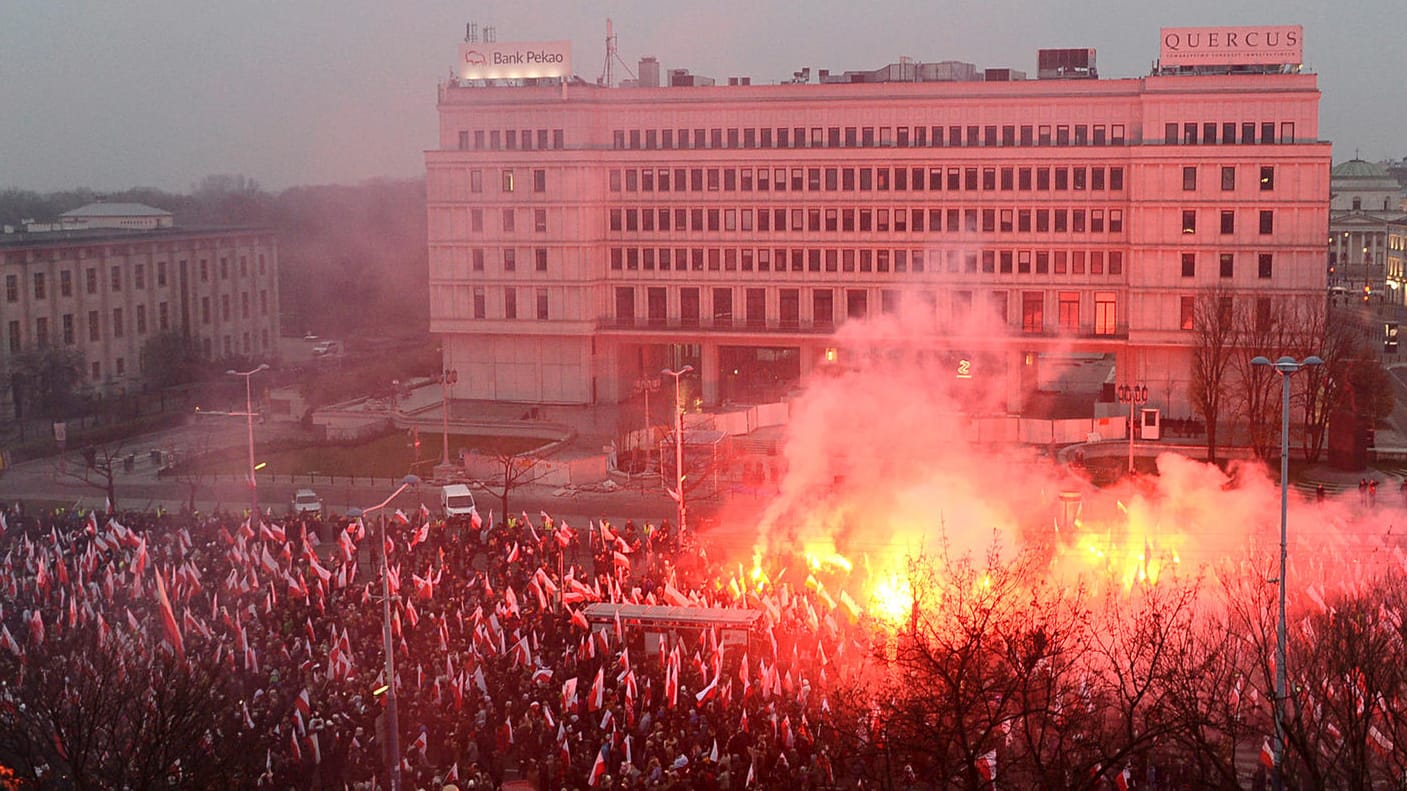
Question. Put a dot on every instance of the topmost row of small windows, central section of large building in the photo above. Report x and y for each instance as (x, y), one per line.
(929, 136)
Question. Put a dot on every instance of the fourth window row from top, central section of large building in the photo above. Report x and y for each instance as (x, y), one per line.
(867, 261)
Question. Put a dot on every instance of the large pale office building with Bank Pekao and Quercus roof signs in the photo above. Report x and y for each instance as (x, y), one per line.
(586, 236)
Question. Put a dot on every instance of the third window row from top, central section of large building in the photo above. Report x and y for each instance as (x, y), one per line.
(900, 220)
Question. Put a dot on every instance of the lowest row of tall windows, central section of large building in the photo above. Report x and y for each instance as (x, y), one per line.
(1033, 306)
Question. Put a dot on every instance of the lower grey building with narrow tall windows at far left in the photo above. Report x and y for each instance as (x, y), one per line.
(108, 292)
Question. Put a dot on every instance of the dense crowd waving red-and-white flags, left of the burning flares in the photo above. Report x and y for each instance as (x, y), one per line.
(499, 672)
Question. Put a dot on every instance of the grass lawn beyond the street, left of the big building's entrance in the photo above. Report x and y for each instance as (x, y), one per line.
(388, 457)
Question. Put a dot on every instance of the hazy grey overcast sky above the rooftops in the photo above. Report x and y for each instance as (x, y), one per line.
(306, 92)
